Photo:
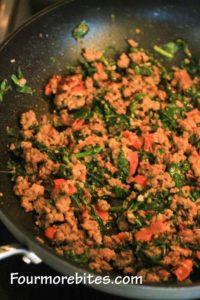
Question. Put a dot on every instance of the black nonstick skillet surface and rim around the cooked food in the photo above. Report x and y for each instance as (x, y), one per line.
(44, 46)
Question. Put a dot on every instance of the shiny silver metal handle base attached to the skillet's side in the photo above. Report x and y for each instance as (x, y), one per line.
(16, 249)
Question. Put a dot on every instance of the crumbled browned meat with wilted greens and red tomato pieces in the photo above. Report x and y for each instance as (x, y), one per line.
(112, 175)
